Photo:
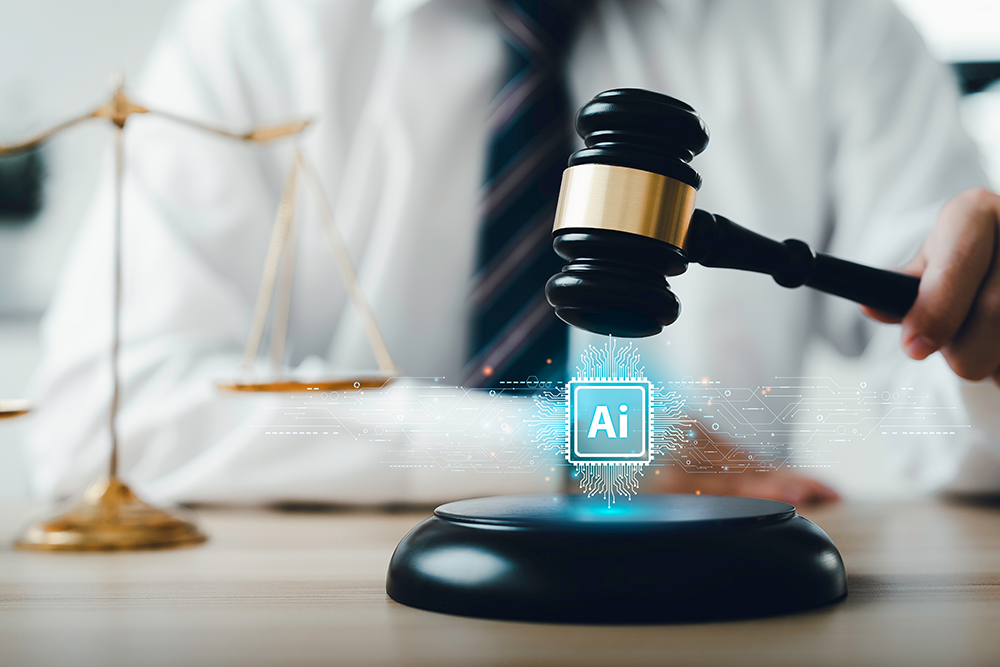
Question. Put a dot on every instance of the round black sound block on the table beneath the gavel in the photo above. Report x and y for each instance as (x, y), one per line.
(651, 559)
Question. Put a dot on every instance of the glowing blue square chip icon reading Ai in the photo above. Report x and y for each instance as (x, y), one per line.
(609, 421)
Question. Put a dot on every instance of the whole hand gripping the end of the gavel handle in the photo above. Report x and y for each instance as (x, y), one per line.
(957, 310)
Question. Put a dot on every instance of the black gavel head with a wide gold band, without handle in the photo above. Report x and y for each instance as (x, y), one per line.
(624, 209)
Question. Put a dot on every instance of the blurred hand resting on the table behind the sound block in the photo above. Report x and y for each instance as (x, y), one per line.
(780, 484)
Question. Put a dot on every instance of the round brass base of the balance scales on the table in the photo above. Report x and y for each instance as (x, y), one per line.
(110, 518)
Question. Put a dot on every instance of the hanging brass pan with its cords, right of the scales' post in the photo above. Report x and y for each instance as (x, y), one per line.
(279, 265)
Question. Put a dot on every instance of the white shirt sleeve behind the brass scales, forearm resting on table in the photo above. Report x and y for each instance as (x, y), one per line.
(197, 217)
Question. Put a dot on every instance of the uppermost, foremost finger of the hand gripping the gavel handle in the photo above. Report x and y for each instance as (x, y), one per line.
(957, 256)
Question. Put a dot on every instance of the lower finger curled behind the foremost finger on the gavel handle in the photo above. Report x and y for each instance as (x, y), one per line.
(974, 353)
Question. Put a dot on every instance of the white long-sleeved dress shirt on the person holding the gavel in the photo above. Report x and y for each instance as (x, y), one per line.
(829, 123)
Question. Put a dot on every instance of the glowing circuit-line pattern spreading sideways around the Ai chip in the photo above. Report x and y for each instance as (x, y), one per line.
(701, 426)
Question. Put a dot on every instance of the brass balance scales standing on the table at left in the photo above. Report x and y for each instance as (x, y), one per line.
(110, 516)
